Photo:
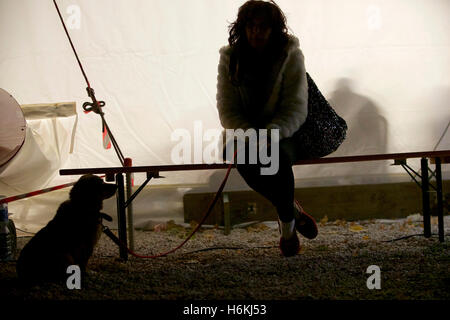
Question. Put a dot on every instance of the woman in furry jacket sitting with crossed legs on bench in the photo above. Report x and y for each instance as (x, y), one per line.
(262, 84)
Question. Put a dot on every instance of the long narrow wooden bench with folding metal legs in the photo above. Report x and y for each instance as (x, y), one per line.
(425, 176)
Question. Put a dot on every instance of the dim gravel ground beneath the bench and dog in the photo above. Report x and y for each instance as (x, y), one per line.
(247, 265)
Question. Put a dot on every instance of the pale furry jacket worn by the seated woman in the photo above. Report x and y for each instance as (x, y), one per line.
(286, 108)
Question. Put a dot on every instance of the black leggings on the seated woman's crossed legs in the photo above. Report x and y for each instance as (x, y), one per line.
(277, 188)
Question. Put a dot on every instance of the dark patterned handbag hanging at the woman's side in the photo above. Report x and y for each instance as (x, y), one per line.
(323, 131)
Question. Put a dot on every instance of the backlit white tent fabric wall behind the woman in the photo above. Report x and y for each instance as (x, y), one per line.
(383, 64)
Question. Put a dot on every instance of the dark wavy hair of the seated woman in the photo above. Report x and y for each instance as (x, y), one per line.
(238, 39)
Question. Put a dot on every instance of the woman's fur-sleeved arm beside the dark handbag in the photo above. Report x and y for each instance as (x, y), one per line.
(293, 105)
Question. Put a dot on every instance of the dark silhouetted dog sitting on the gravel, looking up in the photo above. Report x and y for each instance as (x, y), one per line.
(70, 237)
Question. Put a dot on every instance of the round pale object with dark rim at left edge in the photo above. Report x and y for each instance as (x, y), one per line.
(12, 127)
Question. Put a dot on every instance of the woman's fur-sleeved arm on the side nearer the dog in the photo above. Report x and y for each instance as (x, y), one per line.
(228, 99)
